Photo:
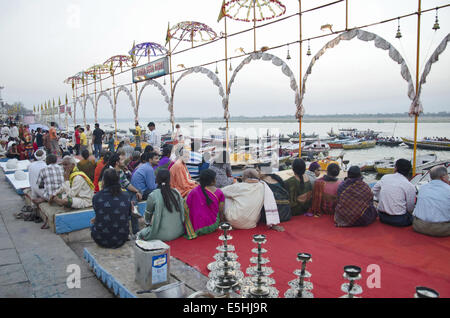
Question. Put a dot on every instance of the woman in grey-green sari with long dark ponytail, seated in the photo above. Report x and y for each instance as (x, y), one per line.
(165, 213)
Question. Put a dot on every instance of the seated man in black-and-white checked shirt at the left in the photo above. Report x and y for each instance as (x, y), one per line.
(50, 178)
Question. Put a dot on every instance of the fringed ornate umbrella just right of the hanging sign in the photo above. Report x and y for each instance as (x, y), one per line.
(192, 31)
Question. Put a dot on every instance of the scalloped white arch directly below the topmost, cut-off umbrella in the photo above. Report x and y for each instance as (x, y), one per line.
(275, 61)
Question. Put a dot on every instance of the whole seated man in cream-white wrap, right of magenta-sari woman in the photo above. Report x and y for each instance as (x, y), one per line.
(244, 202)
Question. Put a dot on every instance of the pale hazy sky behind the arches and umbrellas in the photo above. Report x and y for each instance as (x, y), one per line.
(46, 41)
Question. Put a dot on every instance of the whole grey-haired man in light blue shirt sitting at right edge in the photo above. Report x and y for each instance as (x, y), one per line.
(432, 212)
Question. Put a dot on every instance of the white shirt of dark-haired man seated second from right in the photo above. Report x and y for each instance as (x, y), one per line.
(395, 194)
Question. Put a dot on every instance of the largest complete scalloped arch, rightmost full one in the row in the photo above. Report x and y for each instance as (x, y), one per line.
(380, 43)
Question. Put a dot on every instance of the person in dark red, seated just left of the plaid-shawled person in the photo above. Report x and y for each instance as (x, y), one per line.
(325, 192)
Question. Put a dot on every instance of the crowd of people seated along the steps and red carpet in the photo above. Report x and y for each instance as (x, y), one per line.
(177, 205)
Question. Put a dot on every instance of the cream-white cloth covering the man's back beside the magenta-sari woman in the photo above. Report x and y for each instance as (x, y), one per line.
(243, 204)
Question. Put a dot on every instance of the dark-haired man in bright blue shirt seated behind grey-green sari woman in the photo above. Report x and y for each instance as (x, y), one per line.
(143, 178)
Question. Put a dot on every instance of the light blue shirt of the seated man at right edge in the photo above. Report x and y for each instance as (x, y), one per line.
(433, 202)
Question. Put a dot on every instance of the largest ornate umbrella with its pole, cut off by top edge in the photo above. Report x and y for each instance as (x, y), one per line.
(253, 11)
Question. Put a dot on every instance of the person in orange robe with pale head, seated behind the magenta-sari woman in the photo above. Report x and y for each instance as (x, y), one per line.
(180, 178)
